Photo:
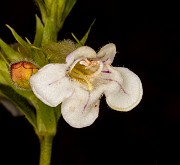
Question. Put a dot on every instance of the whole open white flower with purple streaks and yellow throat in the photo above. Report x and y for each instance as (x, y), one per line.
(79, 84)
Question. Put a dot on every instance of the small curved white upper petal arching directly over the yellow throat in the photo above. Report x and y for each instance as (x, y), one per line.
(83, 51)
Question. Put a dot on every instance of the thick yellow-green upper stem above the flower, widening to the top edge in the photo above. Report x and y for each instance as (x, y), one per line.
(56, 13)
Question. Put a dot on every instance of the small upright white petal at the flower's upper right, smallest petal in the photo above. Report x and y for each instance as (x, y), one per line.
(107, 53)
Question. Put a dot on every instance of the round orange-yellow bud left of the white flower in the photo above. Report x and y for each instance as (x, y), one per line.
(21, 73)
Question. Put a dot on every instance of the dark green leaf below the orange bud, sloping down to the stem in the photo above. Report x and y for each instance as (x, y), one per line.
(22, 103)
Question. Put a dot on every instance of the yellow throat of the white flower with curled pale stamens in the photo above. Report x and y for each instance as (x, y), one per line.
(84, 70)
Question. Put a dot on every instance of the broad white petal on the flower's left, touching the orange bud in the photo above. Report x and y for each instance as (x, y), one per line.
(50, 85)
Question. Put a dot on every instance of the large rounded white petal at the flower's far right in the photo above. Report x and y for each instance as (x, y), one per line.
(125, 95)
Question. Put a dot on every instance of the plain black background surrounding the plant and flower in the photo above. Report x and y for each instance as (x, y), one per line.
(147, 39)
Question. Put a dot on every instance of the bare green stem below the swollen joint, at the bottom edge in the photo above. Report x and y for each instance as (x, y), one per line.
(45, 150)
